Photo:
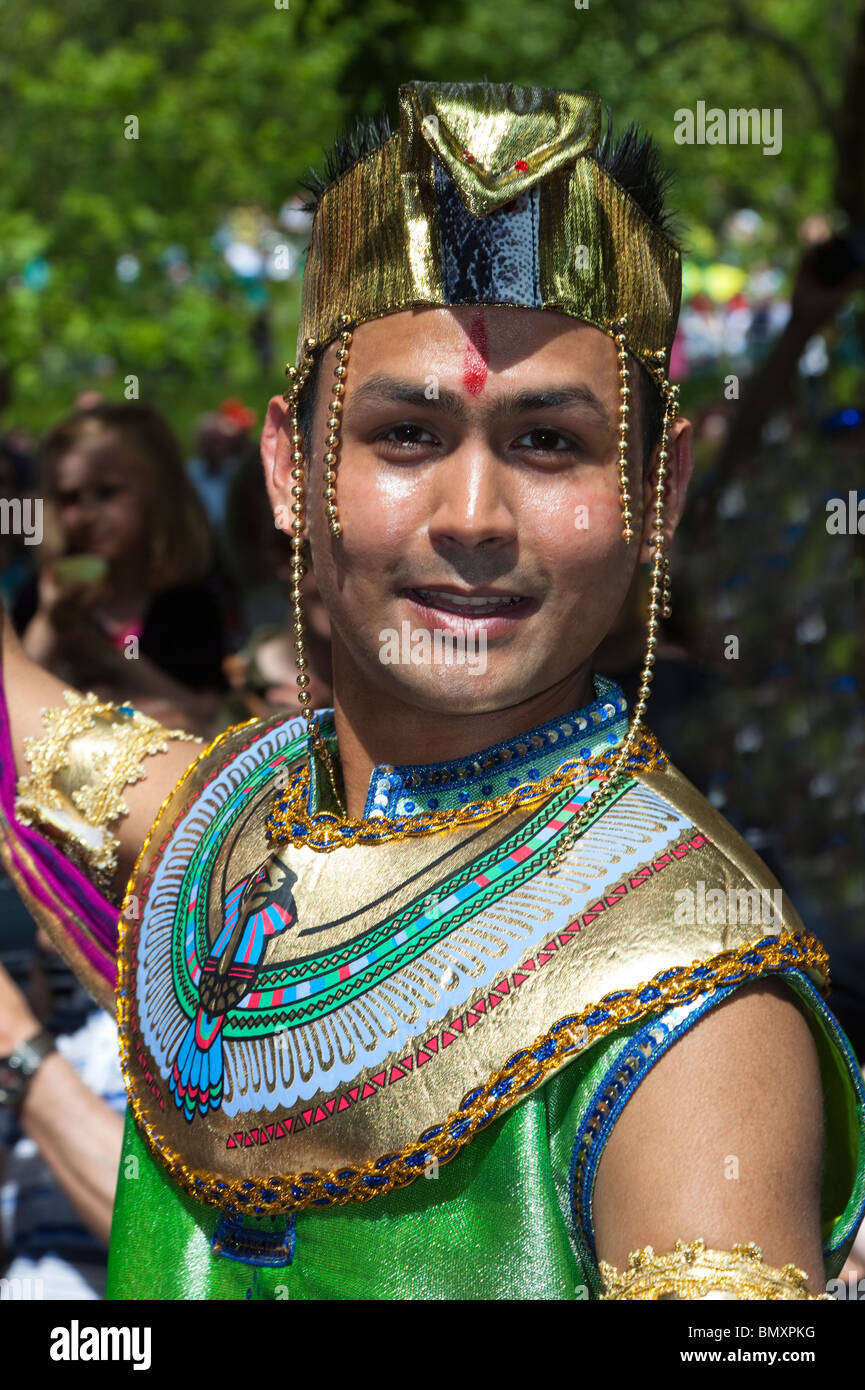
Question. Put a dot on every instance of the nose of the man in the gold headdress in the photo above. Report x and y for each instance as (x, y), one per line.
(472, 504)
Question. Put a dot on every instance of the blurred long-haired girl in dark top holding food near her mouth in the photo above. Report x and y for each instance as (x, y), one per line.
(124, 605)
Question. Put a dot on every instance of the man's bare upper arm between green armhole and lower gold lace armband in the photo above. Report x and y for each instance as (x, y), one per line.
(722, 1140)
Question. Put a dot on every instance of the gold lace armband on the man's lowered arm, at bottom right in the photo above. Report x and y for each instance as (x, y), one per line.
(695, 1273)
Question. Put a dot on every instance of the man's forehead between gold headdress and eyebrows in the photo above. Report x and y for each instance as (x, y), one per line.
(512, 341)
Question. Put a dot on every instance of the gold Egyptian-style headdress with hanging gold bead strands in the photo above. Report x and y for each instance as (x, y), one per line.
(487, 195)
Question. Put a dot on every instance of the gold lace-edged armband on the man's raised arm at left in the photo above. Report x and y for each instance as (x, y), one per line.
(80, 768)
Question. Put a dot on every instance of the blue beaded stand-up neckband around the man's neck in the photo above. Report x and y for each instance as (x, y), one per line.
(411, 790)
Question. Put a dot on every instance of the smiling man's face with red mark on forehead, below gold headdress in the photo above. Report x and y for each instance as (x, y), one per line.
(479, 496)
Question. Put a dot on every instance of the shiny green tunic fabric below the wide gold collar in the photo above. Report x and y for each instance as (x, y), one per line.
(494, 1224)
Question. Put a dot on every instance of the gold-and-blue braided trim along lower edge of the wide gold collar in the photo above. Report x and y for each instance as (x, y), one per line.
(524, 1072)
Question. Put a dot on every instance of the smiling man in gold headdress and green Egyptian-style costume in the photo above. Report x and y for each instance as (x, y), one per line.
(460, 990)
